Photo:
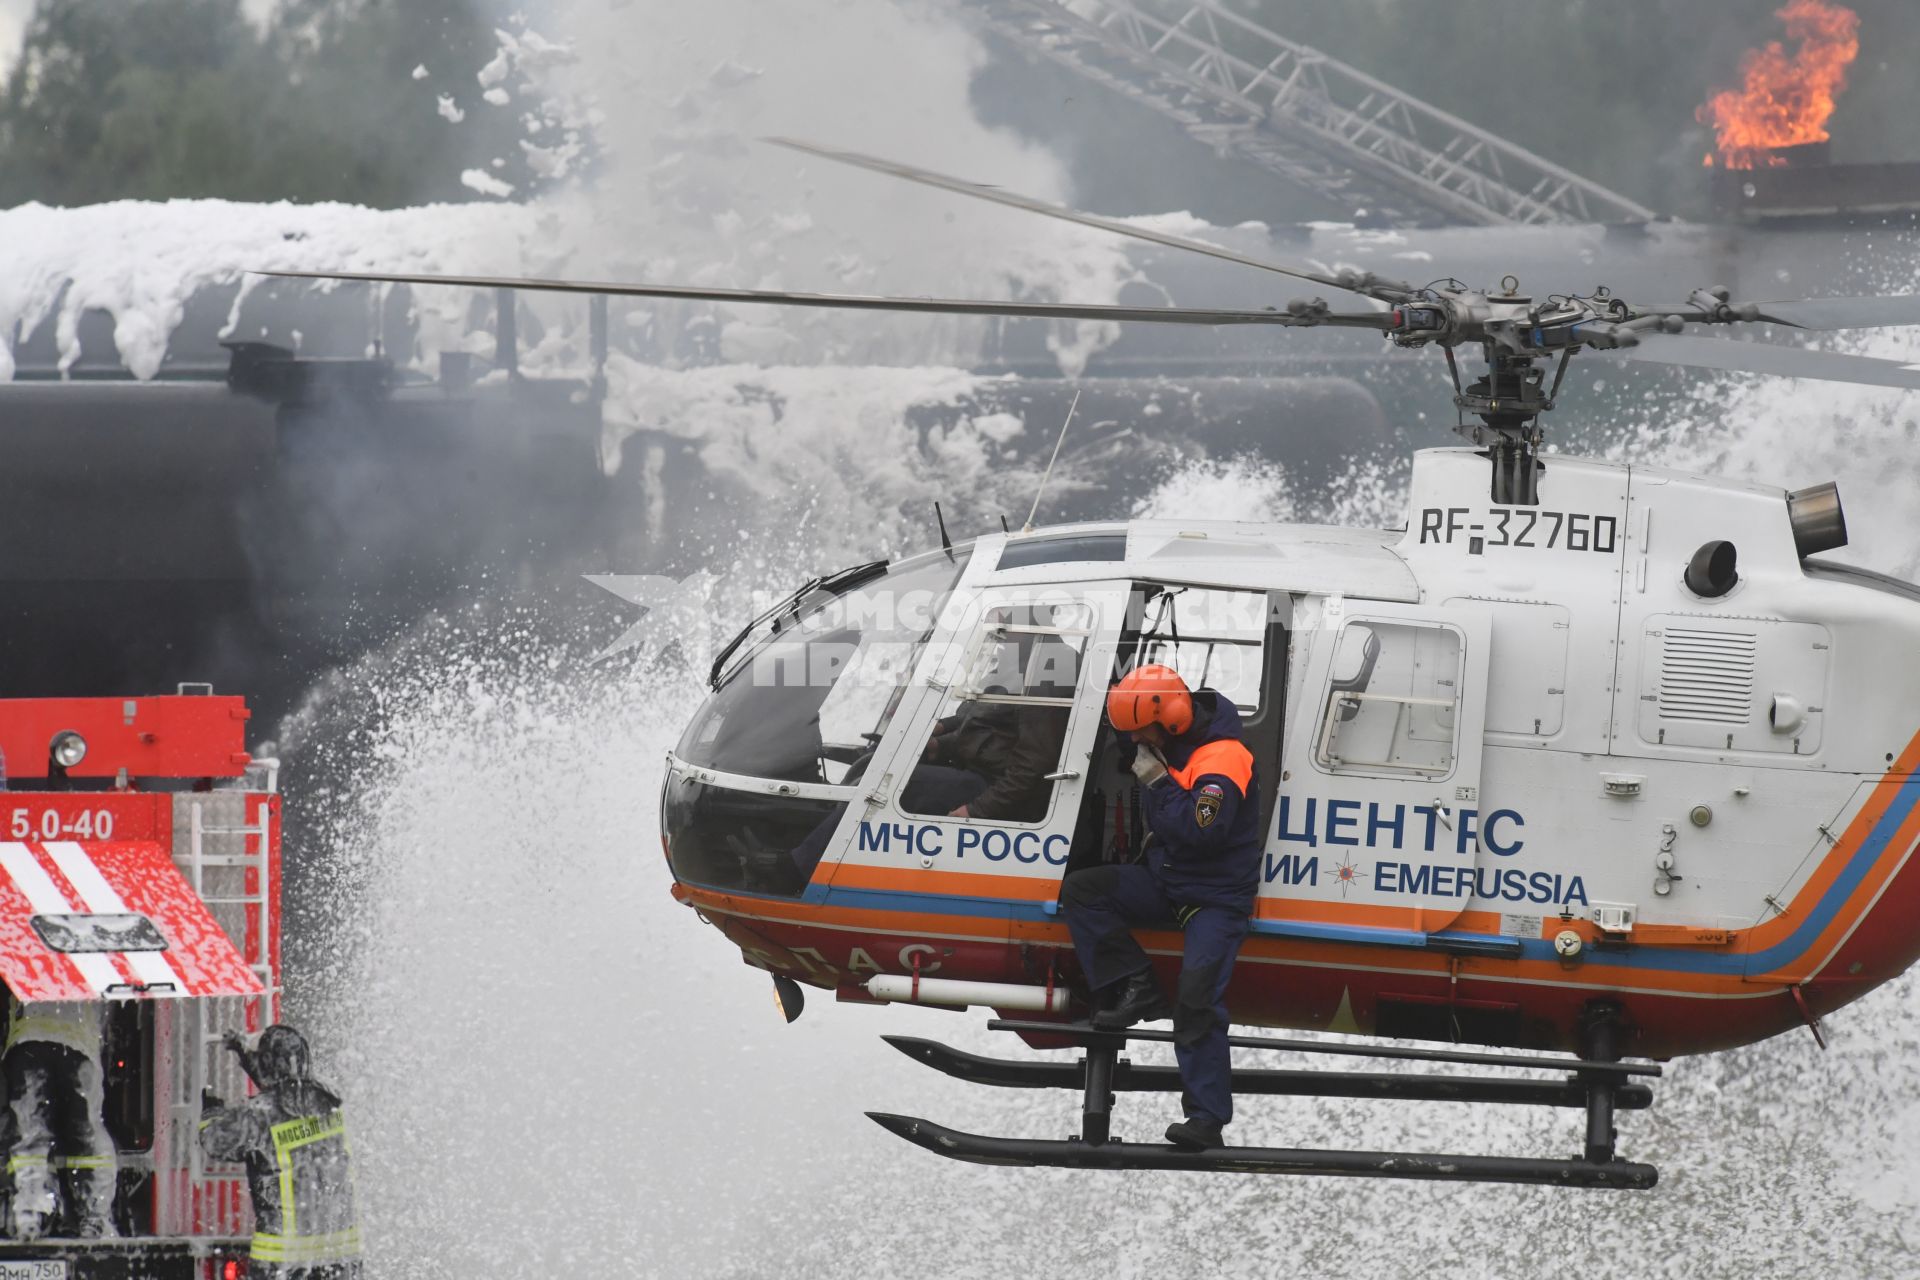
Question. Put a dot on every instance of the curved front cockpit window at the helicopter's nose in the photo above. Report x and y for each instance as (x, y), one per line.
(813, 703)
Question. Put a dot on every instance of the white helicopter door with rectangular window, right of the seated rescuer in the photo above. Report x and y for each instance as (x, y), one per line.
(1381, 803)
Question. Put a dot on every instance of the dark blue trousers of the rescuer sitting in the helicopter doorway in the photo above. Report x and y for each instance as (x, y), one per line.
(1103, 905)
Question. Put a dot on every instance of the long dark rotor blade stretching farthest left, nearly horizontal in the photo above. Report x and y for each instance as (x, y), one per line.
(857, 302)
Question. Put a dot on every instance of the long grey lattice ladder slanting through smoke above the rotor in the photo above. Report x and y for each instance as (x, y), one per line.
(1305, 116)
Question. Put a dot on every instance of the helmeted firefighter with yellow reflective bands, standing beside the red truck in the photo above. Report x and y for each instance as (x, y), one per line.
(293, 1141)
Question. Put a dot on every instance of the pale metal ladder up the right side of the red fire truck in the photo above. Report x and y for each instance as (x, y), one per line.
(237, 889)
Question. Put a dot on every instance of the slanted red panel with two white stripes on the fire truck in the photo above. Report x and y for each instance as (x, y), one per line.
(116, 878)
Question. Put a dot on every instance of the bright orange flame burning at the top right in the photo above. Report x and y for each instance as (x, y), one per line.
(1787, 101)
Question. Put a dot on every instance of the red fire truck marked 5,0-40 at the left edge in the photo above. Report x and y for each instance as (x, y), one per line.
(141, 866)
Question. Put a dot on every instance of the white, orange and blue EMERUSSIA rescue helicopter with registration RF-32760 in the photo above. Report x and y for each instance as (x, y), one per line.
(1591, 765)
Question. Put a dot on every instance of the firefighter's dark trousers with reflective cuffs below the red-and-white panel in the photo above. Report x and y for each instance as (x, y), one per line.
(62, 1168)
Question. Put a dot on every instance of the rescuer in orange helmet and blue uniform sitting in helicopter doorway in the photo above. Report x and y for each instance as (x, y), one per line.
(1201, 874)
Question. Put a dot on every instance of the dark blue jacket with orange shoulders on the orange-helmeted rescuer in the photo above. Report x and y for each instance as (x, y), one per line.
(1207, 813)
